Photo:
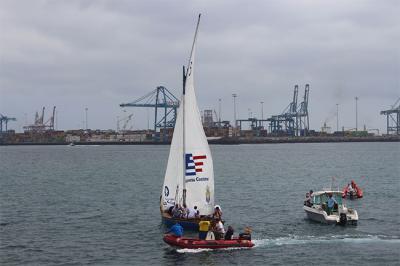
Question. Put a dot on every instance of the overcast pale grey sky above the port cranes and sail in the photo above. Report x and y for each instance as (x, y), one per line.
(98, 54)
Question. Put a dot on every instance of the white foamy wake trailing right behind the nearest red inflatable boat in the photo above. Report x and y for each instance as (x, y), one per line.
(296, 240)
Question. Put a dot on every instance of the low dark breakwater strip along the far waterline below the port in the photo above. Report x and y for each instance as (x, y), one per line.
(230, 141)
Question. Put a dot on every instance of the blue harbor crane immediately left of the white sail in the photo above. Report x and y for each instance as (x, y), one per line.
(165, 106)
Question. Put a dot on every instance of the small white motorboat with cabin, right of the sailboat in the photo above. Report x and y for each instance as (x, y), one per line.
(317, 210)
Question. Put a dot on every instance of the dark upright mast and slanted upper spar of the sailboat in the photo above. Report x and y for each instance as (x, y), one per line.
(188, 73)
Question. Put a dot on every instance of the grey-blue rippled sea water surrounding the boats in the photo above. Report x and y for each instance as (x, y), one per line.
(99, 205)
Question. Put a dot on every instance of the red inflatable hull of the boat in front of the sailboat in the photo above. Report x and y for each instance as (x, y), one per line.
(195, 243)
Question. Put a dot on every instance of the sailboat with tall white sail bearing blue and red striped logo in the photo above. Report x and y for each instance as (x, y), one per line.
(189, 177)
